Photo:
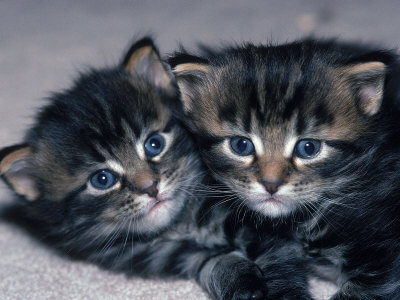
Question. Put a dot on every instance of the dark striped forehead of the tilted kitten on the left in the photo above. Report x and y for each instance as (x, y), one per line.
(102, 113)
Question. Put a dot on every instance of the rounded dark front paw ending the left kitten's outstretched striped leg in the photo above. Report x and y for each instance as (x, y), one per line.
(232, 276)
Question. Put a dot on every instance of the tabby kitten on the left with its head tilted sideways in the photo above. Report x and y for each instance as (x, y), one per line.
(108, 175)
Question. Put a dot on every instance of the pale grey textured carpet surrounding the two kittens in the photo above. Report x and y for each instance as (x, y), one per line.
(44, 43)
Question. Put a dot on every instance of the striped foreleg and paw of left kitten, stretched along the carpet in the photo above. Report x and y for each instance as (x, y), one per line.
(223, 274)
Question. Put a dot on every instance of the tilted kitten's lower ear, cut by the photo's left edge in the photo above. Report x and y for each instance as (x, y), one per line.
(16, 171)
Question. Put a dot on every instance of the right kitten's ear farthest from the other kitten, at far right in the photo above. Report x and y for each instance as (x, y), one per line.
(366, 82)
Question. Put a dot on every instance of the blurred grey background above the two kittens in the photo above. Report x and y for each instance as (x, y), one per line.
(44, 43)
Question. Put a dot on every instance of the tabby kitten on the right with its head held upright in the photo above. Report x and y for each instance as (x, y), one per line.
(306, 135)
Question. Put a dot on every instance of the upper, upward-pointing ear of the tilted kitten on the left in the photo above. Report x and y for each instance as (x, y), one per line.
(143, 60)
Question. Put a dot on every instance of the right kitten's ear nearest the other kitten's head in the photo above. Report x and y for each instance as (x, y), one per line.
(189, 76)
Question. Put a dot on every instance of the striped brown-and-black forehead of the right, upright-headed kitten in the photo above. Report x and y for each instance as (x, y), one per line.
(277, 96)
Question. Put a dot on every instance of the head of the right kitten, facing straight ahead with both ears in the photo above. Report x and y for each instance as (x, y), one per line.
(280, 124)
